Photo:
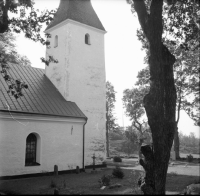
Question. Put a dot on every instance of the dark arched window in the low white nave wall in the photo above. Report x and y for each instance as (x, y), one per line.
(31, 150)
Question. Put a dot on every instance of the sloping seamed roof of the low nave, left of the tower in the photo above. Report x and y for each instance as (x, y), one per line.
(41, 97)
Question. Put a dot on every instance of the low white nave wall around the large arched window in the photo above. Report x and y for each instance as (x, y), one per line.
(59, 145)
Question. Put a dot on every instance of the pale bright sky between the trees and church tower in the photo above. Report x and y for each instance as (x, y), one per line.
(123, 54)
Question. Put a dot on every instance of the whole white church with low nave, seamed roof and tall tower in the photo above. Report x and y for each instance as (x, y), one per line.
(61, 119)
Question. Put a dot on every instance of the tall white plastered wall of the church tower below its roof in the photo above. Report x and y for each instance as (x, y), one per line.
(80, 77)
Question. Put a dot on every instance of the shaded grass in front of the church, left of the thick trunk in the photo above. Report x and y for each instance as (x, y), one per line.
(83, 183)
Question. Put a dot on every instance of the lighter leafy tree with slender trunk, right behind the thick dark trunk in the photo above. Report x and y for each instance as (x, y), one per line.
(186, 72)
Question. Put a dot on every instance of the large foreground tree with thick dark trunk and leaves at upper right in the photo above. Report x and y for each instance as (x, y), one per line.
(160, 102)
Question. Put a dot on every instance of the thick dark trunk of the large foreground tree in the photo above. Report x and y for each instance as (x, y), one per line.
(160, 102)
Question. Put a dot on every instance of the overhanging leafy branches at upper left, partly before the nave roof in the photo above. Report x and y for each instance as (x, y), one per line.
(20, 16)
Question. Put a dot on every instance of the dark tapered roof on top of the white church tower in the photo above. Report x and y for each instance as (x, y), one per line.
(78, 10)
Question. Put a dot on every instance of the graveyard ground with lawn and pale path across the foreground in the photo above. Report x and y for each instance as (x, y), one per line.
(179, 177)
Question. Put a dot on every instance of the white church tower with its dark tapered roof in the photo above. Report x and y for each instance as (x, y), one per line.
(77, 42)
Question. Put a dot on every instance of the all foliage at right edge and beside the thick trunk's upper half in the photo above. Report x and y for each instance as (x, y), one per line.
(182, 41)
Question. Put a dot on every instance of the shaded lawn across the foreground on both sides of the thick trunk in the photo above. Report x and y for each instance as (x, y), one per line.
(87, 183)
